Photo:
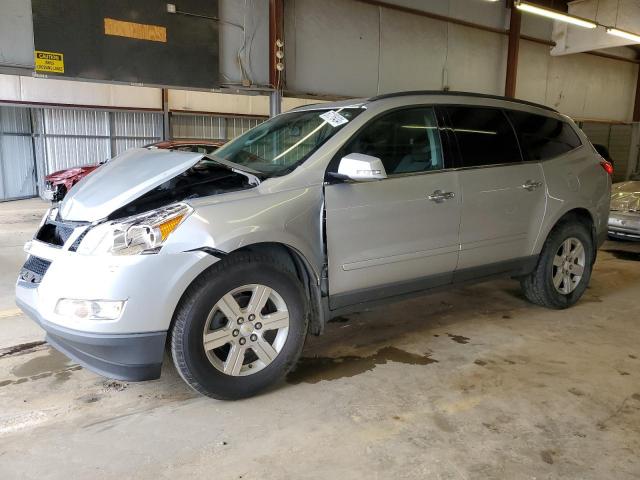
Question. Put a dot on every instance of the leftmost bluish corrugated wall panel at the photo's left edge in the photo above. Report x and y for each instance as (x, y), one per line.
(17, 167)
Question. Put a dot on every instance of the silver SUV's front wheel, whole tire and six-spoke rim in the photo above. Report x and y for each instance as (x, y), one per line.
(240, 327)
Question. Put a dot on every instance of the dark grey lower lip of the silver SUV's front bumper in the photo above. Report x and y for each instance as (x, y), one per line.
(128, 357)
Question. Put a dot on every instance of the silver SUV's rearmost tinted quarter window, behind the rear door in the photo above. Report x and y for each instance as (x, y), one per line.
(543, 137)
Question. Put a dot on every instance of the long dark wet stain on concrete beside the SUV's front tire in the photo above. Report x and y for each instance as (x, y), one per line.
(316, 369)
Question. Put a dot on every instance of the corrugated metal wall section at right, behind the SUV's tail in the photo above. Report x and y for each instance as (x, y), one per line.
(617, 139)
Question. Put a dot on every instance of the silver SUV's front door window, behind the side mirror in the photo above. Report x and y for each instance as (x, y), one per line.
(405, 140)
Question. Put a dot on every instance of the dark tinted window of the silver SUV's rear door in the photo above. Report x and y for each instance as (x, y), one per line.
(484, 136)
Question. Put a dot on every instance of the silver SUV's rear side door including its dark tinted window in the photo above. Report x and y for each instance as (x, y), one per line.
(503, 197)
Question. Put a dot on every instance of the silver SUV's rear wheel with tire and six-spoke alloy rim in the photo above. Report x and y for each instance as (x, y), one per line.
(564, 267)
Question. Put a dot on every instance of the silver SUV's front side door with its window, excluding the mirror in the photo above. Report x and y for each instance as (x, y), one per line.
(400, 234)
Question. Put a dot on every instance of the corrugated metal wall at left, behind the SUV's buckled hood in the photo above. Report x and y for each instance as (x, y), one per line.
(35, 142)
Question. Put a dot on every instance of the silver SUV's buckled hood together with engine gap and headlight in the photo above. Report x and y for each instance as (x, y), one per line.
(144, 222)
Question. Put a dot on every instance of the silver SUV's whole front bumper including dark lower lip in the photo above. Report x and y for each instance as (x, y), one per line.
(130, 348)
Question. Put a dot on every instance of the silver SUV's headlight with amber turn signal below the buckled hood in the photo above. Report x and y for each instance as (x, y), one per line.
(143, 233)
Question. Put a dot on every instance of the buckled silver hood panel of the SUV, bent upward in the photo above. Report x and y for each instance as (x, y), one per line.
(122, 180)
